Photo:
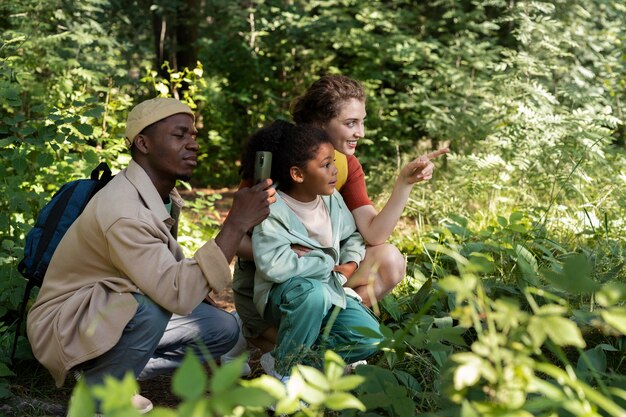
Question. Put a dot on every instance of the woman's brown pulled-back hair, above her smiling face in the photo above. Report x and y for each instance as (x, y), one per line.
(323, 100)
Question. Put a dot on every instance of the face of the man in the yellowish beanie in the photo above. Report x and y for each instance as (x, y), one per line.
(173, 147)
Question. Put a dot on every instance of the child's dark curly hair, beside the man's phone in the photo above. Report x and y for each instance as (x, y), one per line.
(291, 145)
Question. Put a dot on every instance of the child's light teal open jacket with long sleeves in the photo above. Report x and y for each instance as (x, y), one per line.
(276, 262)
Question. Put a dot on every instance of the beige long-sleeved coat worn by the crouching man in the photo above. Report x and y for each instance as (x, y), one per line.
(123, 243)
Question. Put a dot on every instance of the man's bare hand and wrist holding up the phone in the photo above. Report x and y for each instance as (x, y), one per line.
(250, 207)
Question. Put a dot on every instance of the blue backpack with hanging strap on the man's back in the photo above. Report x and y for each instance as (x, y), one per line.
(52, 222)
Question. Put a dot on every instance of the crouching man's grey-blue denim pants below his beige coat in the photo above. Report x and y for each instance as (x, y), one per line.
(155, 341)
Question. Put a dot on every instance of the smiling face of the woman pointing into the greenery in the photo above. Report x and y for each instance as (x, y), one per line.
(348, 127)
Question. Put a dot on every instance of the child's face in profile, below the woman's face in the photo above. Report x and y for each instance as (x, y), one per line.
(319, 175)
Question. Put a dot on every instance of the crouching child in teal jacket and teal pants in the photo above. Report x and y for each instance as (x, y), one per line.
(297, 290)
